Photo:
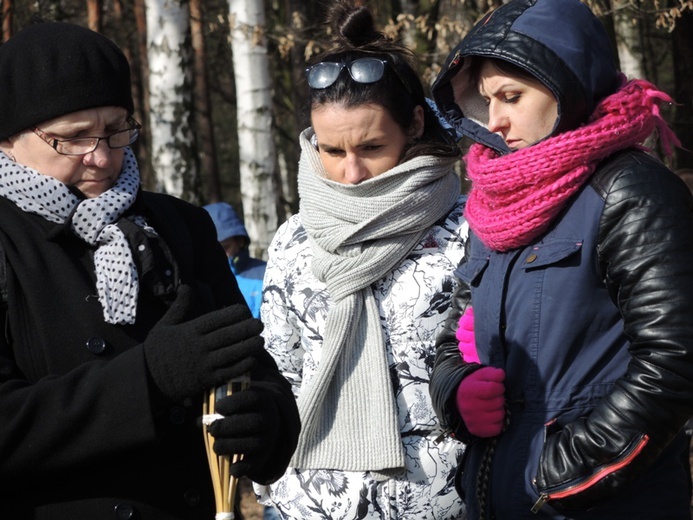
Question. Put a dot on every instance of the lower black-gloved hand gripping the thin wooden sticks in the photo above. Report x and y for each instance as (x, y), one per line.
(250, 427)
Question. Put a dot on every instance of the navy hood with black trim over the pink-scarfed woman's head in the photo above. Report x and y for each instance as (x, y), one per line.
(560, 42)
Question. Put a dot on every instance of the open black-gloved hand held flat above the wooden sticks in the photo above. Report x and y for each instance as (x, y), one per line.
(187, 357)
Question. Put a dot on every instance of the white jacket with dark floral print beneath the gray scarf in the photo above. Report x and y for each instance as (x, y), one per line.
(414, 301)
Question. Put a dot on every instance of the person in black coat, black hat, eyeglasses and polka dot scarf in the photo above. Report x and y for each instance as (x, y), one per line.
(118, 308)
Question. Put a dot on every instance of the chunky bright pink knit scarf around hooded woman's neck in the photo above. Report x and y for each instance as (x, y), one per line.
(515, 197)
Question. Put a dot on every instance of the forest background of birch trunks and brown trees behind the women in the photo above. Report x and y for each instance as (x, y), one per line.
(220, 92)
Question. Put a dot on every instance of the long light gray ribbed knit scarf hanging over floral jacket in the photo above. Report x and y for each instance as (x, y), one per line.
(358, 234)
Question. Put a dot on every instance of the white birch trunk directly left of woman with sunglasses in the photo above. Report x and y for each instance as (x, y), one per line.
(256, 148)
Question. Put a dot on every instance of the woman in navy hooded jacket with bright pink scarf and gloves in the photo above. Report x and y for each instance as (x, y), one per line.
(579, 266)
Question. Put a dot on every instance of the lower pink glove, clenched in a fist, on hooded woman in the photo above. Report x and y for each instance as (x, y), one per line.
(481, 403)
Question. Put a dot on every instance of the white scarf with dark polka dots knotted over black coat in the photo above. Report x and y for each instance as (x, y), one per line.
(93, 220)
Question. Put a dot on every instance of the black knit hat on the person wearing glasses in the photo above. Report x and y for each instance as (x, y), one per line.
(55, 68)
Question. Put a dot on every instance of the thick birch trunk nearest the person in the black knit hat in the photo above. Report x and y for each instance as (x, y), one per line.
(173, 152)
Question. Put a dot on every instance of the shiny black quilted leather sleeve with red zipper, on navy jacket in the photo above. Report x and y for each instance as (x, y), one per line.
(646, 253)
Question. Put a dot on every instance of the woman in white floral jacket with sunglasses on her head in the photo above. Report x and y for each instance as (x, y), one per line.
(354, 283)
